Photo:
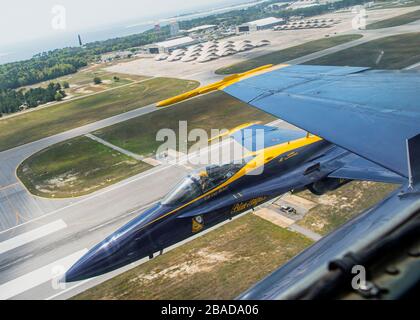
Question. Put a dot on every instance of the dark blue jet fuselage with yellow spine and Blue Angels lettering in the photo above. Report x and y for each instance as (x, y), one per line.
(212, 195)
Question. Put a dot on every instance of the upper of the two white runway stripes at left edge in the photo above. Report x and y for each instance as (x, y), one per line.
(32, 235)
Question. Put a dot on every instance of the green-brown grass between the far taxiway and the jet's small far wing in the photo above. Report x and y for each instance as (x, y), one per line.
(212, 111)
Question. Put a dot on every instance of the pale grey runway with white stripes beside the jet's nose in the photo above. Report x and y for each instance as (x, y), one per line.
(82, 224)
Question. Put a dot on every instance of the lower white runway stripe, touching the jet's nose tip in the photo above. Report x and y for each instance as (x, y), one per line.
(38, 277)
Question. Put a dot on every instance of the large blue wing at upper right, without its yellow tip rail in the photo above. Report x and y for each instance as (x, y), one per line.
(370, 113)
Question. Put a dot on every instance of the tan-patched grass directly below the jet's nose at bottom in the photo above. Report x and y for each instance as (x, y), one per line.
(218, 265)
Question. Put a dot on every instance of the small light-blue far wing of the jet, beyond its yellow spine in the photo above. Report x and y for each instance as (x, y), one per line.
(249, 137)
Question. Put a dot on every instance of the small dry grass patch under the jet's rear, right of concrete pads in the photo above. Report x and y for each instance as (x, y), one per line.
(337, 207)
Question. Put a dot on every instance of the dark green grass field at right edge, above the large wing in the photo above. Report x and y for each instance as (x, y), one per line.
(394, 52)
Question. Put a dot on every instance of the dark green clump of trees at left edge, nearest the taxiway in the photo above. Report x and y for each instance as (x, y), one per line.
(12, 101)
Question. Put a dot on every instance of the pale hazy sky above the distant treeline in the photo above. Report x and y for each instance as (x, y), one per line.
(26, 20)
